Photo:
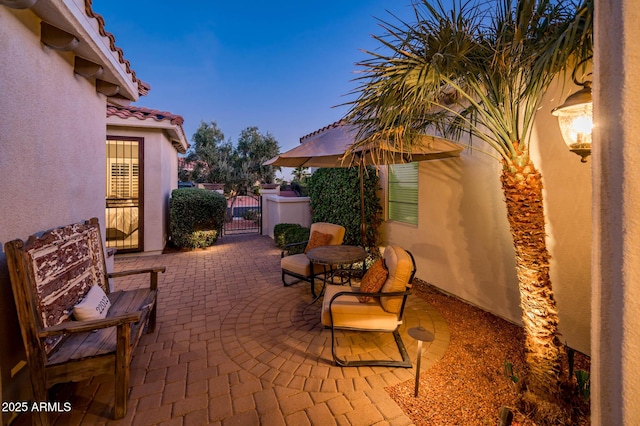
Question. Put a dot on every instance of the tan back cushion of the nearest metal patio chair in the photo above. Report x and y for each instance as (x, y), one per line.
(400, 267)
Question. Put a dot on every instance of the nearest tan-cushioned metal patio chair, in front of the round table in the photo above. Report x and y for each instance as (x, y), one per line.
(351, 308)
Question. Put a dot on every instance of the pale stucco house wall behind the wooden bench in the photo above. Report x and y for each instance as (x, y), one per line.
(51, 162)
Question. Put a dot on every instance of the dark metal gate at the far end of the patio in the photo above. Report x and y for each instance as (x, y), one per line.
(244, 215)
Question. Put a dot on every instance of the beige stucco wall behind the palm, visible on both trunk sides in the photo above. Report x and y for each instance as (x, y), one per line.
(462, 242)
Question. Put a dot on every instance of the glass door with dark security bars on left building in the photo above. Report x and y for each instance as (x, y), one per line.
(123, 194)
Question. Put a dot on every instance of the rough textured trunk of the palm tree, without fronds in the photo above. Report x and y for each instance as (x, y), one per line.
(522, 186)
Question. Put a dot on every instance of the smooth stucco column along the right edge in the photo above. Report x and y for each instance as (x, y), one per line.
(615, 342)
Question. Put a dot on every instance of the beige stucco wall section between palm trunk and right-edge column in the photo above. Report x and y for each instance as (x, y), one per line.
(567, 196)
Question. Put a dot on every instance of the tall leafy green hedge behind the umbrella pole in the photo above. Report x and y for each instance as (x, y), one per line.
(335, 198)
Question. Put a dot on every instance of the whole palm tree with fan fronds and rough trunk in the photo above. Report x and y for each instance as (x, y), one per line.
(480, 71)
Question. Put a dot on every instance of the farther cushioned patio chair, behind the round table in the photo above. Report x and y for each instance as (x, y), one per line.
(298, 265)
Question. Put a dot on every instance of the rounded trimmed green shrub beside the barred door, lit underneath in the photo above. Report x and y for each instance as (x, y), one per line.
(196, 217)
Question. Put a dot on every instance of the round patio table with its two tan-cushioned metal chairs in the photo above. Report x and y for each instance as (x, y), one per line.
(377, 304)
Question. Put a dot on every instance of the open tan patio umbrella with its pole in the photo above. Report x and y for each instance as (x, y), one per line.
(328, 147)
